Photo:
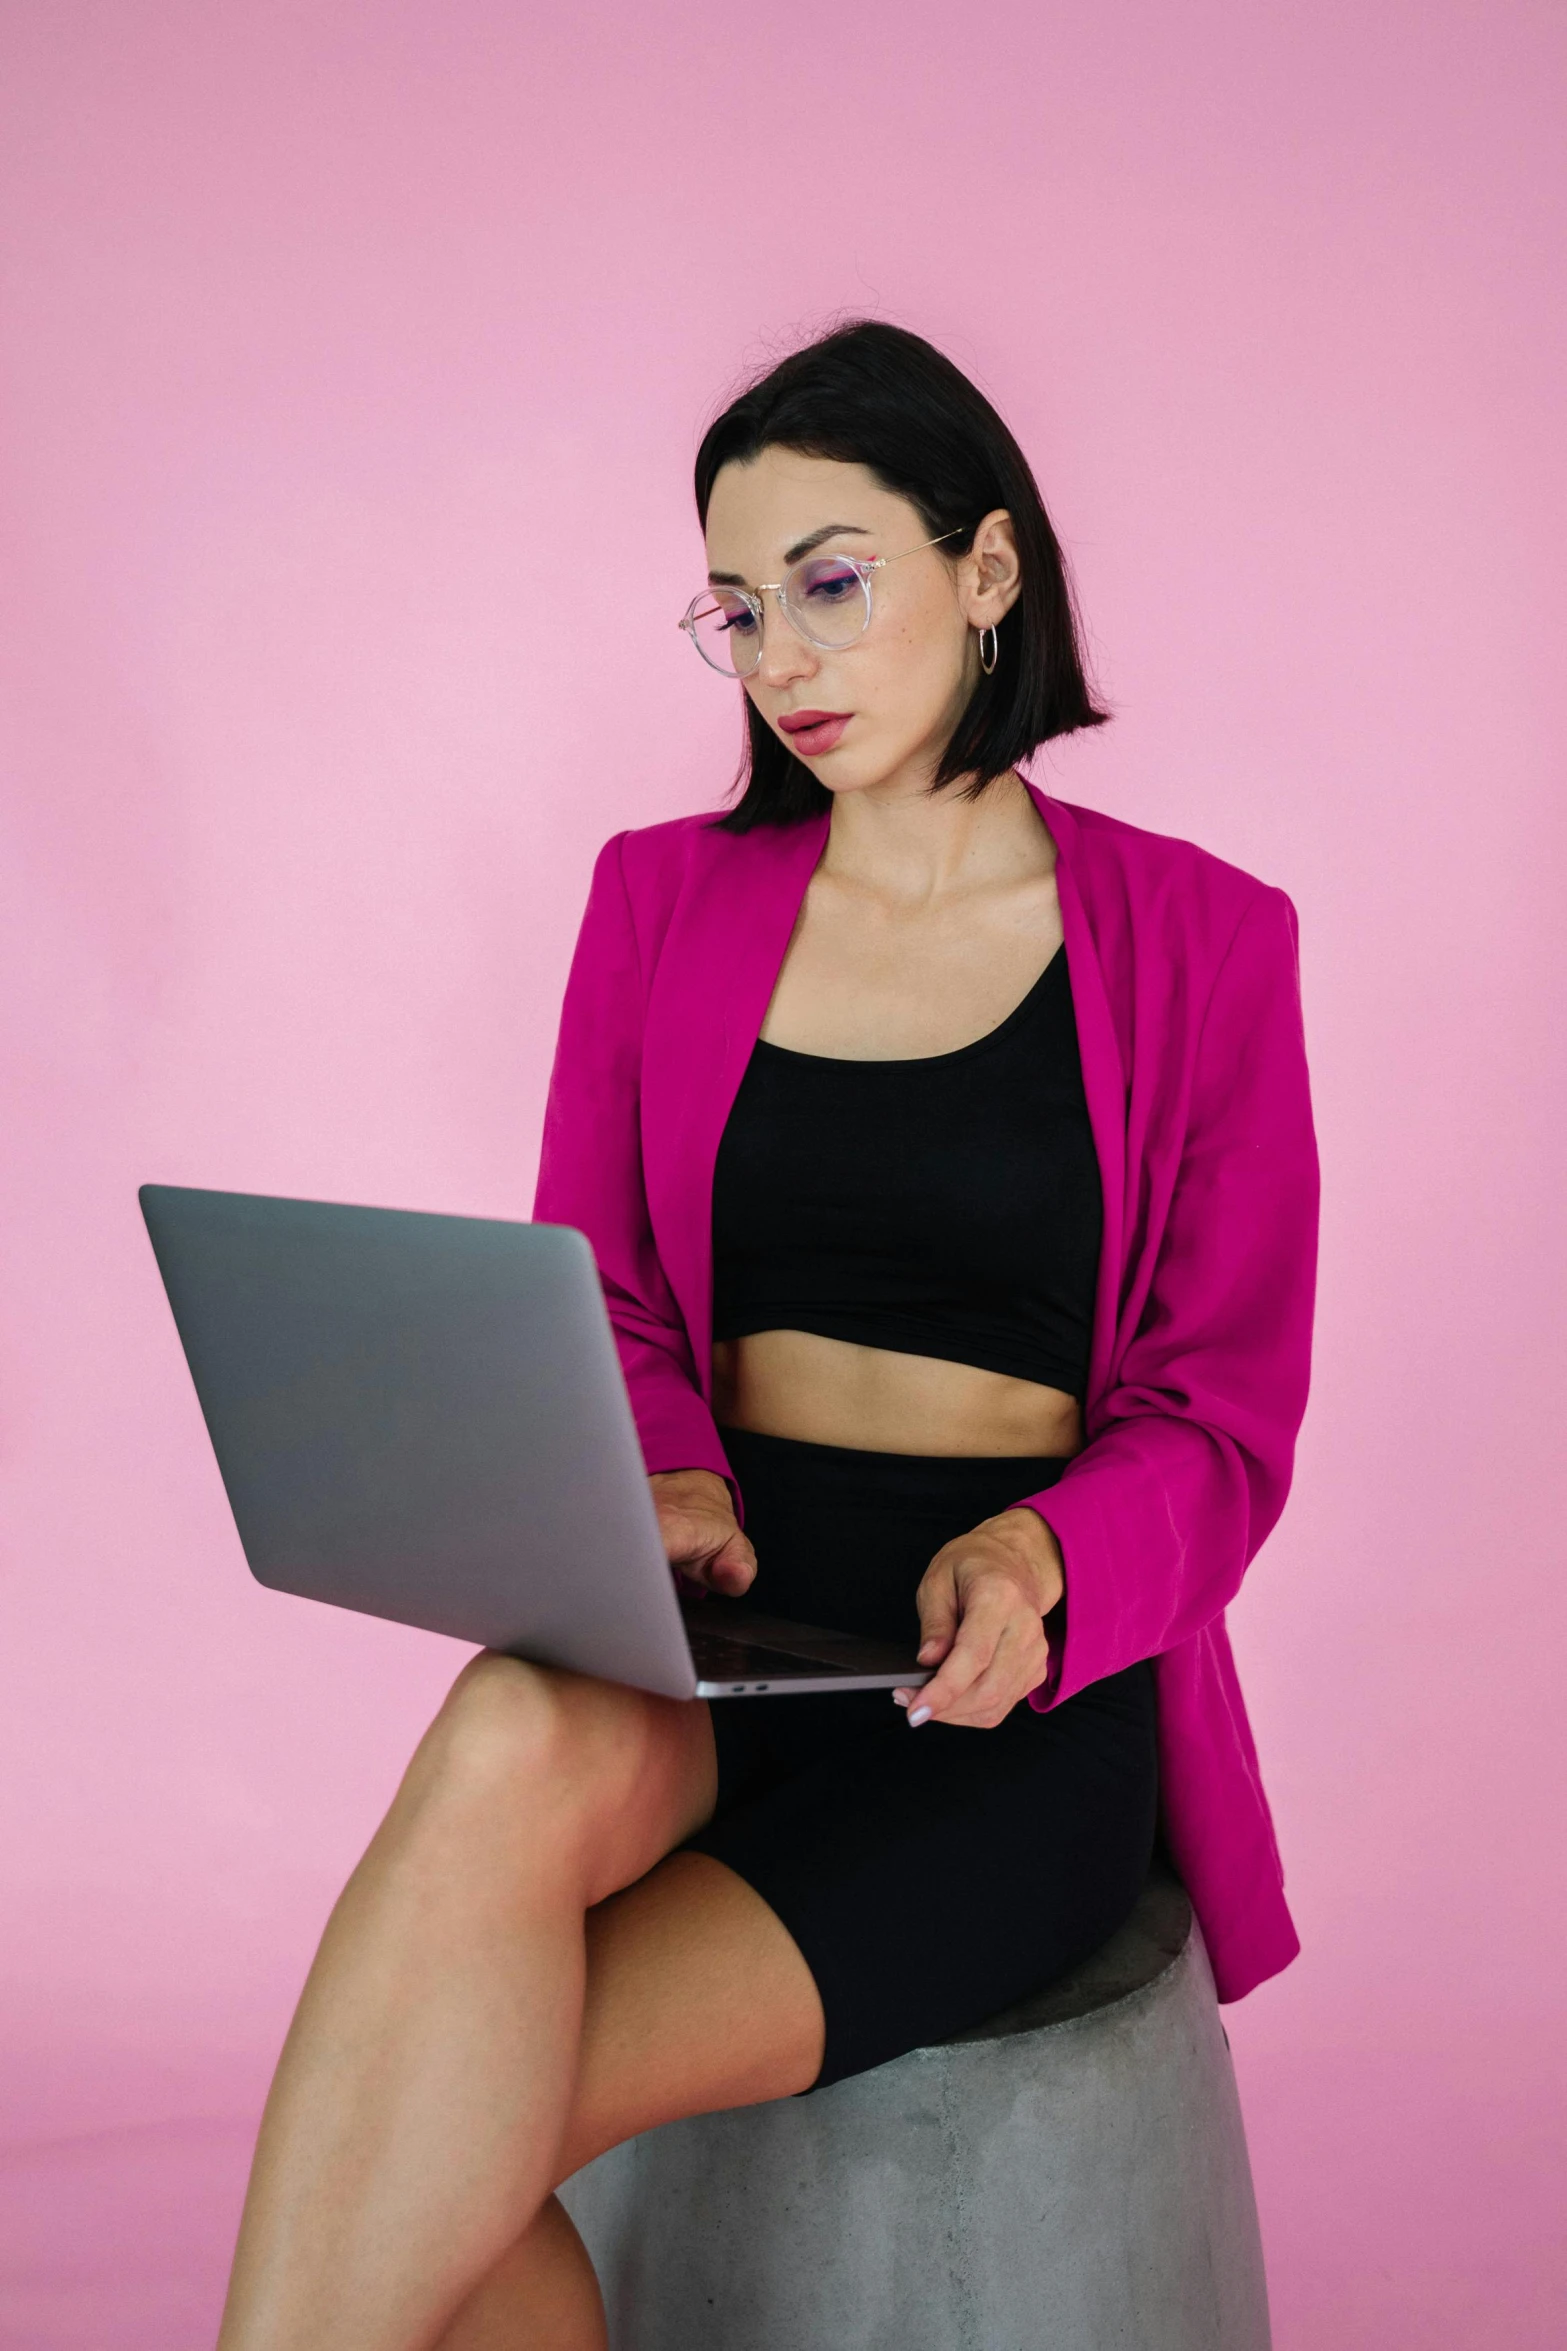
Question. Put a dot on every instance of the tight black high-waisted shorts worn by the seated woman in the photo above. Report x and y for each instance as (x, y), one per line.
(932, 1877)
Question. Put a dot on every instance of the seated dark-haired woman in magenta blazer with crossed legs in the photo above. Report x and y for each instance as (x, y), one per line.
(948, 1160)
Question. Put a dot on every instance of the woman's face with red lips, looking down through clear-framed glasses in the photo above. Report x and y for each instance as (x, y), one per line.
(880, 711)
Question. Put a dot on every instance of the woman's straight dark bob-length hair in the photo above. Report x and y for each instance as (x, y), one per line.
(885, 398)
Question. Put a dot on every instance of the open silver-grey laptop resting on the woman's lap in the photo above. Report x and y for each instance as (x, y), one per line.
(424, 1419)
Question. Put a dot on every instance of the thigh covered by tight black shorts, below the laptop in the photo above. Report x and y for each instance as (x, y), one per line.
(934, 1877)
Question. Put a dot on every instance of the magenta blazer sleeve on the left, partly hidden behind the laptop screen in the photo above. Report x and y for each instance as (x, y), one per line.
(591, 1174)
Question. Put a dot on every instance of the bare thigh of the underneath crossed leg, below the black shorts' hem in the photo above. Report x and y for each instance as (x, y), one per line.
(697, 2000)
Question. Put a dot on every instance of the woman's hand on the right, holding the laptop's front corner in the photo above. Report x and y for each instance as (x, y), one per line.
(981, 1609)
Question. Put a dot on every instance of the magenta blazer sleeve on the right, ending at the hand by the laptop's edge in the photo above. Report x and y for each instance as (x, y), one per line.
(1195, 1445)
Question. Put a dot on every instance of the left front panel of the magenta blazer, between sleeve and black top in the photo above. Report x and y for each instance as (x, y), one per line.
(706, 1007)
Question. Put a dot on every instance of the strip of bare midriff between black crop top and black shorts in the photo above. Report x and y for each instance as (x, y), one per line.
(830, 1393)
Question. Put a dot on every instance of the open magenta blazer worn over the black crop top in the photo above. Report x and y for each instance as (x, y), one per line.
(1188, 1000)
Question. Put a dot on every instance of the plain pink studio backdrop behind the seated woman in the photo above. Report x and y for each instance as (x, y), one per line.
(354, 363)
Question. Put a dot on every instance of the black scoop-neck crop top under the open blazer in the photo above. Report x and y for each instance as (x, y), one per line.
(936, 1207)
